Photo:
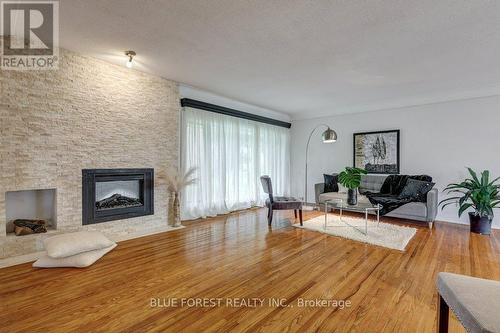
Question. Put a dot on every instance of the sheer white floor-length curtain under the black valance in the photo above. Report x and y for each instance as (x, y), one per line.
(230, 154)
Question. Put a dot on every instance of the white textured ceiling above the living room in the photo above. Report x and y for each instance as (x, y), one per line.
(301, 57)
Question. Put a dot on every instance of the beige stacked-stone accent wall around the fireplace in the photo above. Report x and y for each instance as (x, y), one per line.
(87, 114)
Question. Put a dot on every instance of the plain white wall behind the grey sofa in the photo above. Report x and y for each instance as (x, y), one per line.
(436, 139)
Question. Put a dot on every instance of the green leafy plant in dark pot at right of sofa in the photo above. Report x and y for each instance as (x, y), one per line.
(478, 194)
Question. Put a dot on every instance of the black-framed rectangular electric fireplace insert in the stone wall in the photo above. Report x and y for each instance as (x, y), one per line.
(116, 194)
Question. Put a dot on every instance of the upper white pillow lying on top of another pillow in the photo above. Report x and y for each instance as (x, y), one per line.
(66, 245)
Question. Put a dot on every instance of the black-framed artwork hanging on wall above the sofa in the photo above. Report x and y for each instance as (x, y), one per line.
(377, 152)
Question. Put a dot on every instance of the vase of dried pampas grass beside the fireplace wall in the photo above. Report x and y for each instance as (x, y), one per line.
(176, 182)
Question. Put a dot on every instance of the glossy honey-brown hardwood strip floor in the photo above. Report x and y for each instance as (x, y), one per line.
(238, 256)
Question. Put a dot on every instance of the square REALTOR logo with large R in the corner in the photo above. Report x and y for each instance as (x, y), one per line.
(29, 35)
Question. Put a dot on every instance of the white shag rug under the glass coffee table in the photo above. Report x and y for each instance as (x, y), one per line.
(387, 235)
